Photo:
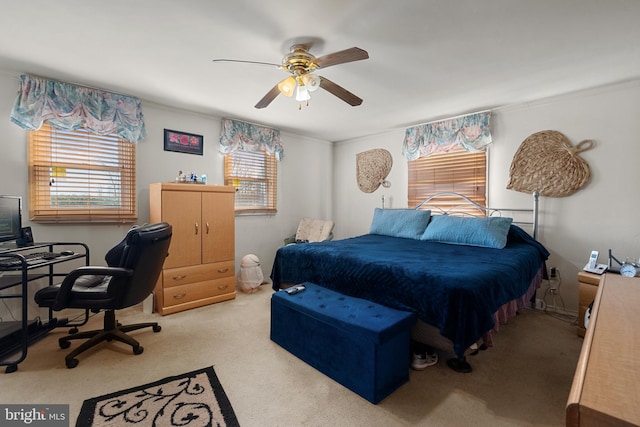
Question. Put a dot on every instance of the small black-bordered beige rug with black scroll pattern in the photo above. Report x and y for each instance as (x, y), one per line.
(191, 399)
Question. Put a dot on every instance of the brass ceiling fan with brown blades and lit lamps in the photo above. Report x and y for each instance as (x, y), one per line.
(302, 64)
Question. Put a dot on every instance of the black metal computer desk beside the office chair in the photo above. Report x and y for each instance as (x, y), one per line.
(16, 336)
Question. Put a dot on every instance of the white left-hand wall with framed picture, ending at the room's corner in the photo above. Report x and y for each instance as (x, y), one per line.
(304, 180)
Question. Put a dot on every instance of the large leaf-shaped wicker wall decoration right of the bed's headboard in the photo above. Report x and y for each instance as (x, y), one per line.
(546, 162)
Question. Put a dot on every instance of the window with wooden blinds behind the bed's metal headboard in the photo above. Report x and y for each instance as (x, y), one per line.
(459, 171)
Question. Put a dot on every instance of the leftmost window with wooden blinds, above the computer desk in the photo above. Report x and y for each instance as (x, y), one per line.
(79, 176)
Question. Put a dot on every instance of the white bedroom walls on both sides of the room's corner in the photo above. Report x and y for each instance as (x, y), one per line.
(317, 178)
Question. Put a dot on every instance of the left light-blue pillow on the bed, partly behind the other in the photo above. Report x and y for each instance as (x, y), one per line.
(407, 223)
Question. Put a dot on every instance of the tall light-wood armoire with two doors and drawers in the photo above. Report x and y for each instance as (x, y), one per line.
(200, 267)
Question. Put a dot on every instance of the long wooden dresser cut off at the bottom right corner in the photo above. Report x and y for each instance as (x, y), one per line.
(606, 385)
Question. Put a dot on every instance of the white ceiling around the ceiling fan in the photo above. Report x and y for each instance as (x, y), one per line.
(429, 59)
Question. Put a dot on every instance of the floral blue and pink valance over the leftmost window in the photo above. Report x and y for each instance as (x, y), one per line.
(68, 106)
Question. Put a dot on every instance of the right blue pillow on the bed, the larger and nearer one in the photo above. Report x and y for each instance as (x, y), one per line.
(490, 232)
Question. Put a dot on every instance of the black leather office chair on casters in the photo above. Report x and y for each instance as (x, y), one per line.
(134, 266)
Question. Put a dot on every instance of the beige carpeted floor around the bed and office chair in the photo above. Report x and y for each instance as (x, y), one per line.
(523, 381)
